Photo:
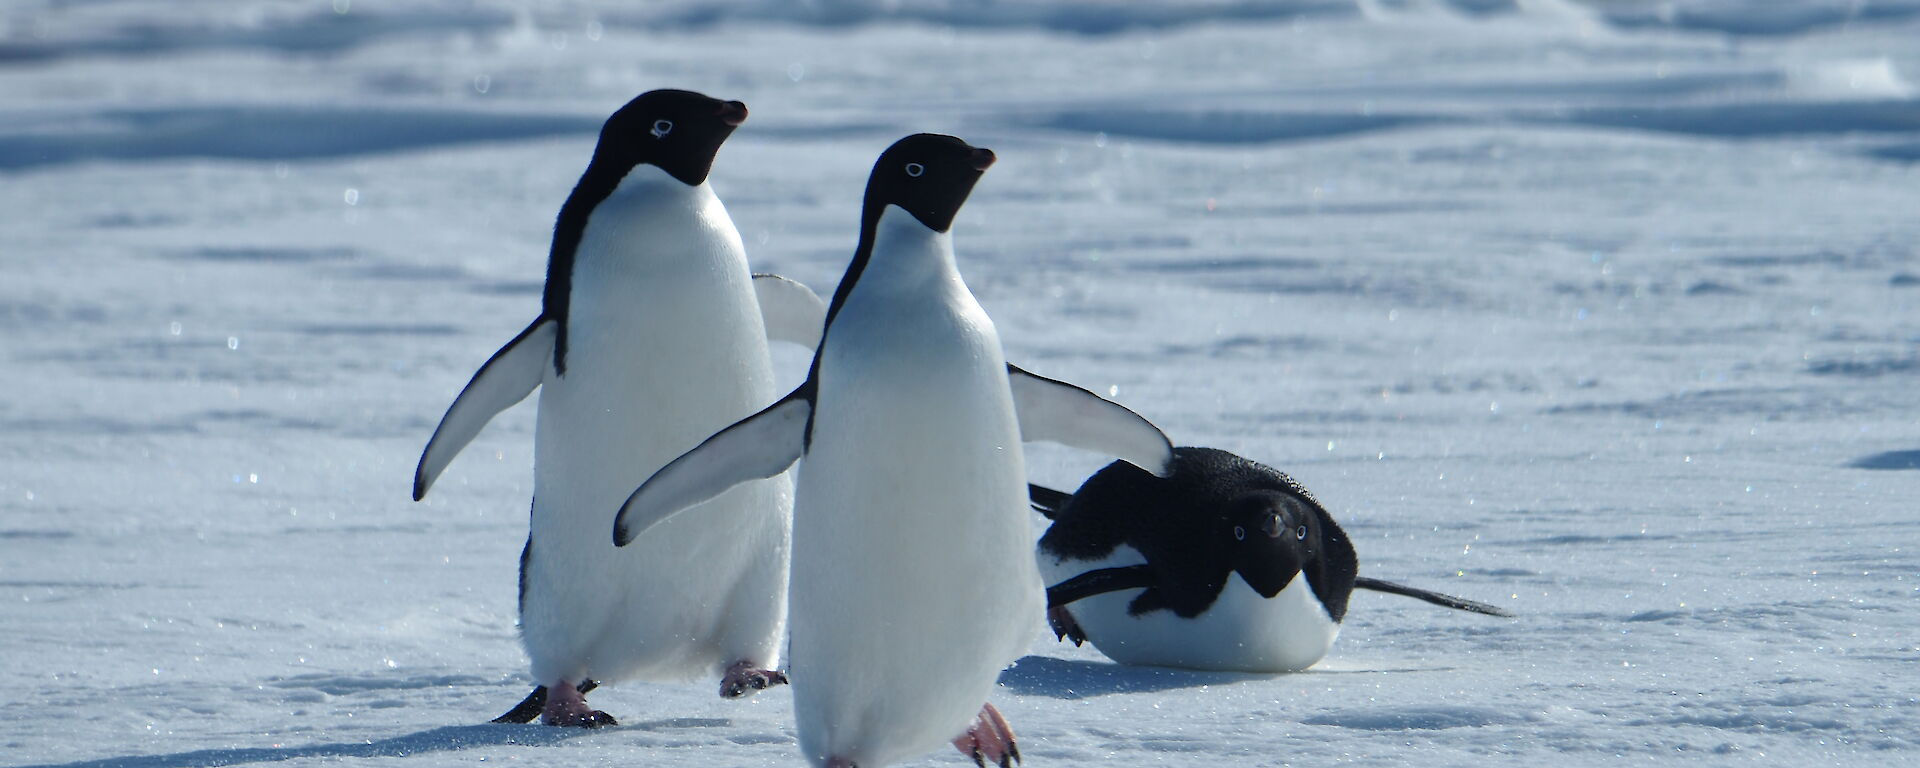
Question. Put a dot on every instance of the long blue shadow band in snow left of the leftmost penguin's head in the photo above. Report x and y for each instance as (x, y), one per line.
(272, 133)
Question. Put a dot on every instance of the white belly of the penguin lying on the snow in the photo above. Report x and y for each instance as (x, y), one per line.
(1239, 633)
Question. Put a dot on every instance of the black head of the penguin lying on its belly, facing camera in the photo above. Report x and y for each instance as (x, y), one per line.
(1270, 537)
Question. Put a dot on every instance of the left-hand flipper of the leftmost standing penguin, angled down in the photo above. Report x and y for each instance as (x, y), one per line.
(506, 379)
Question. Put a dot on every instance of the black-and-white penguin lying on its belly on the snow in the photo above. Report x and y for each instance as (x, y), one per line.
(1222, 565)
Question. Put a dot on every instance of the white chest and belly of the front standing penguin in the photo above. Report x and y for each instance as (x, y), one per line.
(913, 581)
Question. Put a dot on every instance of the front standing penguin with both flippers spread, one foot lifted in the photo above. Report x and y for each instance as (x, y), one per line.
(913, 550)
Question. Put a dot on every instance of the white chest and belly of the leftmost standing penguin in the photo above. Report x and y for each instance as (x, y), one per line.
(665, 348)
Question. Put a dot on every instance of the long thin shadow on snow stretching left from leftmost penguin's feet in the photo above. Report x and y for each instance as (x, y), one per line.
(435, 740)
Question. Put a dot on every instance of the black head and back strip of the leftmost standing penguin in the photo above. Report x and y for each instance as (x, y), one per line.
(679, 132)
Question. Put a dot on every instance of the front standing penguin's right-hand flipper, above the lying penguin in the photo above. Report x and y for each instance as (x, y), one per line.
(1065, 414)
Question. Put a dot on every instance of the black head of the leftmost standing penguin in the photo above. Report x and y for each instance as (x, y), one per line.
(679, 132)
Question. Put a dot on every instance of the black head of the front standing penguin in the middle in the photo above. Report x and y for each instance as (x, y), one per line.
(926, 176)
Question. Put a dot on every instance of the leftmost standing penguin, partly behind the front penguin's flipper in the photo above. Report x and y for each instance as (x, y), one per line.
(652, 335)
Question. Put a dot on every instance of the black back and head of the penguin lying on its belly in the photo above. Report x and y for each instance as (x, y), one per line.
(1216, 516)
